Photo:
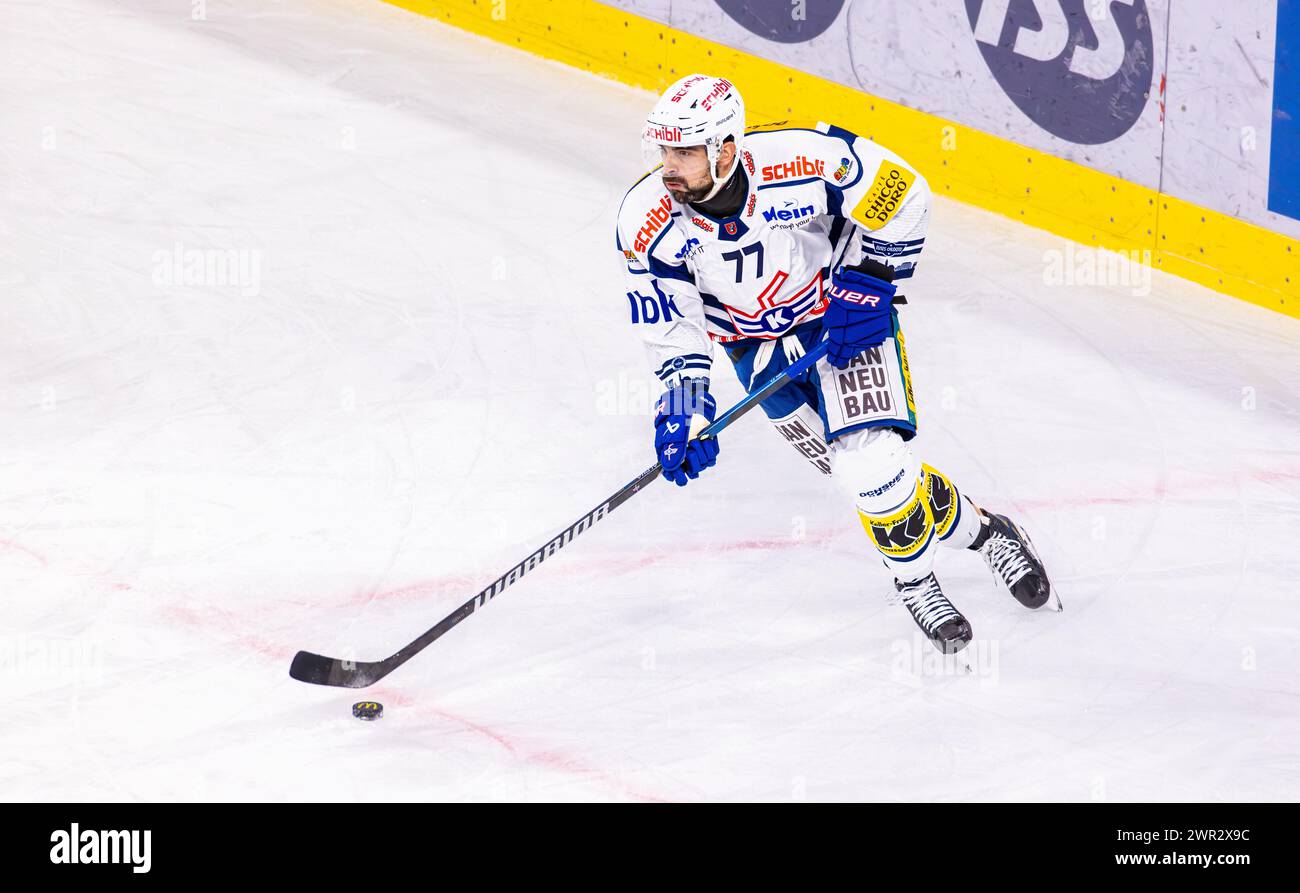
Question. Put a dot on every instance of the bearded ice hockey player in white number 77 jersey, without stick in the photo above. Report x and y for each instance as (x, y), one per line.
(768, 242)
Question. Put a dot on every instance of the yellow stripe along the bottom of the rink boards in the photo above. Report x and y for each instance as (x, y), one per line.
(1061, 197)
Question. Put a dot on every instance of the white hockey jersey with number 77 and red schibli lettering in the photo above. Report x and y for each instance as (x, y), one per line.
(816, 198)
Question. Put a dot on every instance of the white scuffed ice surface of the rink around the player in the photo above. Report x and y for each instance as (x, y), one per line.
(436, 374)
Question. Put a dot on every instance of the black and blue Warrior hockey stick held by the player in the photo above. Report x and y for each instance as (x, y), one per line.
(320, 670)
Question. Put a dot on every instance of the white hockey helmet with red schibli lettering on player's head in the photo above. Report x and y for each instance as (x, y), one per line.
(696, 111)
